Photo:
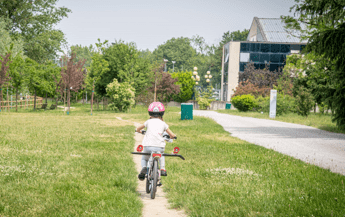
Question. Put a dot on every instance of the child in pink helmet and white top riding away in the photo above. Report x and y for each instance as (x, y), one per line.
(153, 140)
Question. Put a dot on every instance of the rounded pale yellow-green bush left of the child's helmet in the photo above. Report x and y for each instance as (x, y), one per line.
(121, 95)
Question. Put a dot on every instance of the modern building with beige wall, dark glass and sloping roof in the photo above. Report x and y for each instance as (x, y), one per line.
(267, 43)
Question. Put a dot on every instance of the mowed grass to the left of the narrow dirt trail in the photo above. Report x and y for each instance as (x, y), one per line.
(57, 165)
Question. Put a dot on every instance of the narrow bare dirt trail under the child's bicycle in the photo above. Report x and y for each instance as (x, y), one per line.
(159, 206)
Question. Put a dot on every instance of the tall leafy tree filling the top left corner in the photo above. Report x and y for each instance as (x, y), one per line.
(33, 20)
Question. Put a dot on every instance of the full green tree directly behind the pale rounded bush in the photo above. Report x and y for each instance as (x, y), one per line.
(125, 65)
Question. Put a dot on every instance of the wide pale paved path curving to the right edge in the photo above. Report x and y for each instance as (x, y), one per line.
(309, 144)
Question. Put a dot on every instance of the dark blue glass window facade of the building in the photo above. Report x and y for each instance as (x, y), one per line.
(263, 53)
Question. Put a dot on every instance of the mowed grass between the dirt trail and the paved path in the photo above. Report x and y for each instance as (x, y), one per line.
(225, 176)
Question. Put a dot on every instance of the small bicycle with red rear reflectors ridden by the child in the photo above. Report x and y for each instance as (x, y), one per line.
(153, 175)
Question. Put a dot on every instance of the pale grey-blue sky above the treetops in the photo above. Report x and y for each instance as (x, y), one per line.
(150, 23)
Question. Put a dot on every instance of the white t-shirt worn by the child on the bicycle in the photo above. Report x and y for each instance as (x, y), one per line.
(154, 133)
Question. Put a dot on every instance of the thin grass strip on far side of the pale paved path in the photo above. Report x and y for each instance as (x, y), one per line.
(322, 122)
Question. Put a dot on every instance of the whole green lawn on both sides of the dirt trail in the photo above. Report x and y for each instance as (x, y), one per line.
(58, 165)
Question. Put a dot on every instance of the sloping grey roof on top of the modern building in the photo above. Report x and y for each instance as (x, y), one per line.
(272, 30)
